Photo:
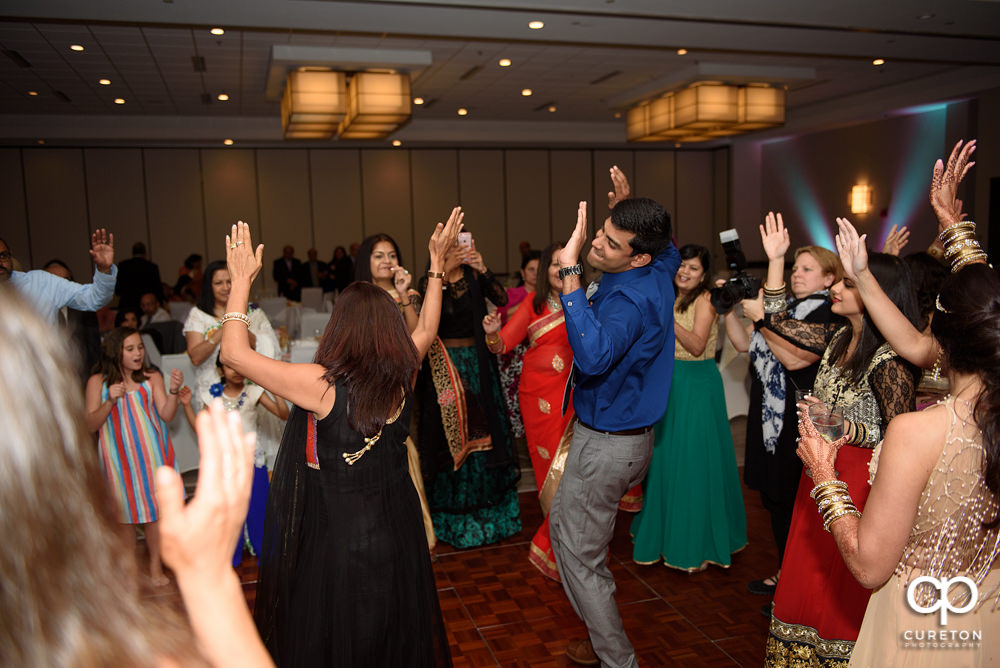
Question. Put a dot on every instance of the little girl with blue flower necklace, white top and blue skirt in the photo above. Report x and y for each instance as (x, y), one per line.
(240, 395)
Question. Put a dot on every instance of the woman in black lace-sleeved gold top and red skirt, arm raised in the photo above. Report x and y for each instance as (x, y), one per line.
(818, 605)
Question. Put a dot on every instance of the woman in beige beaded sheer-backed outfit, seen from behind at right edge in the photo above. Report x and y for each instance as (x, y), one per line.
(932, 510)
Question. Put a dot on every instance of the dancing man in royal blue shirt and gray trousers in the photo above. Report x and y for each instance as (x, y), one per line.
(623, 350)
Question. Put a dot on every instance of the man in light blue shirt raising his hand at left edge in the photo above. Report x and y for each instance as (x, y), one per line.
(48, 293)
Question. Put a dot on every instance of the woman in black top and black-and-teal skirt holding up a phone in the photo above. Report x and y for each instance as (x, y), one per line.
(464, 440)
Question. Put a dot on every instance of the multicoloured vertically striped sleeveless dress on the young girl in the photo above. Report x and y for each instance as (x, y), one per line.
(133, 443)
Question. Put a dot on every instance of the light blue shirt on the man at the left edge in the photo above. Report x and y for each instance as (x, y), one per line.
(48, 293)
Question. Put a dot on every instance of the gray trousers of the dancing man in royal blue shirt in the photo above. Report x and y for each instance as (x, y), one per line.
(600, 468)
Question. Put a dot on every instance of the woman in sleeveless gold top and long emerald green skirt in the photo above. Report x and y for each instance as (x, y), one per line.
(692, 513)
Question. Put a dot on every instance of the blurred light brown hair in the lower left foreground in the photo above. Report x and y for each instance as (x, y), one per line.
(71, 594)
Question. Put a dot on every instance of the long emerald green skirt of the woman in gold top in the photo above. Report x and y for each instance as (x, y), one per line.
(692, 512)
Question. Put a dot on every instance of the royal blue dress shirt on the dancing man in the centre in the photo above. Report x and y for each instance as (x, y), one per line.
(623, 345)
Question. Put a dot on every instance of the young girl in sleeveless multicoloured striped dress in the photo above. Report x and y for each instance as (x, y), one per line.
(127, 406)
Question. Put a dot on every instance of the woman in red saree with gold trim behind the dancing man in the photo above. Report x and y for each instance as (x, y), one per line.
(547, 365)
